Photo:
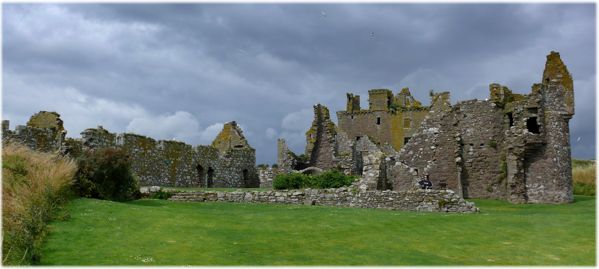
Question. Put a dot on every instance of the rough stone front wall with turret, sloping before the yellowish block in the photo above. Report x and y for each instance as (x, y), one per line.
(512, 146)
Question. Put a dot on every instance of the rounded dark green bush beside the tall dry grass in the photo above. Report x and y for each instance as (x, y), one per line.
(106, 174)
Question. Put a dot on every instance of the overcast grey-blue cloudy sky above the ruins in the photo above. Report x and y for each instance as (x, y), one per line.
(180, 71)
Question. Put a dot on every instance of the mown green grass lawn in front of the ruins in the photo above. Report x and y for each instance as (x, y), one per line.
(158, 232)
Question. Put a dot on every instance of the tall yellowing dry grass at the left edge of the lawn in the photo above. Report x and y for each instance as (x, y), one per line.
(35, 185)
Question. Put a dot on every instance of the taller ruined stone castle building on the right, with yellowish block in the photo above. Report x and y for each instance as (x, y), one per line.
(511, 146)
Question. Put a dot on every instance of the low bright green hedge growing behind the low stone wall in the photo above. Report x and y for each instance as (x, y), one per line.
(329, 179)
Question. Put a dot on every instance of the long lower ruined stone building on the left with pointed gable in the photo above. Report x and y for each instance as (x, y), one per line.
(229, 162)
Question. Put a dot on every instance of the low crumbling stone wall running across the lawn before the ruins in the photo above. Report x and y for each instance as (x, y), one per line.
(416, 200)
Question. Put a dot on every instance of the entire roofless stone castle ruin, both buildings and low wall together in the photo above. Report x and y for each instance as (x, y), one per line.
(511, 146)
